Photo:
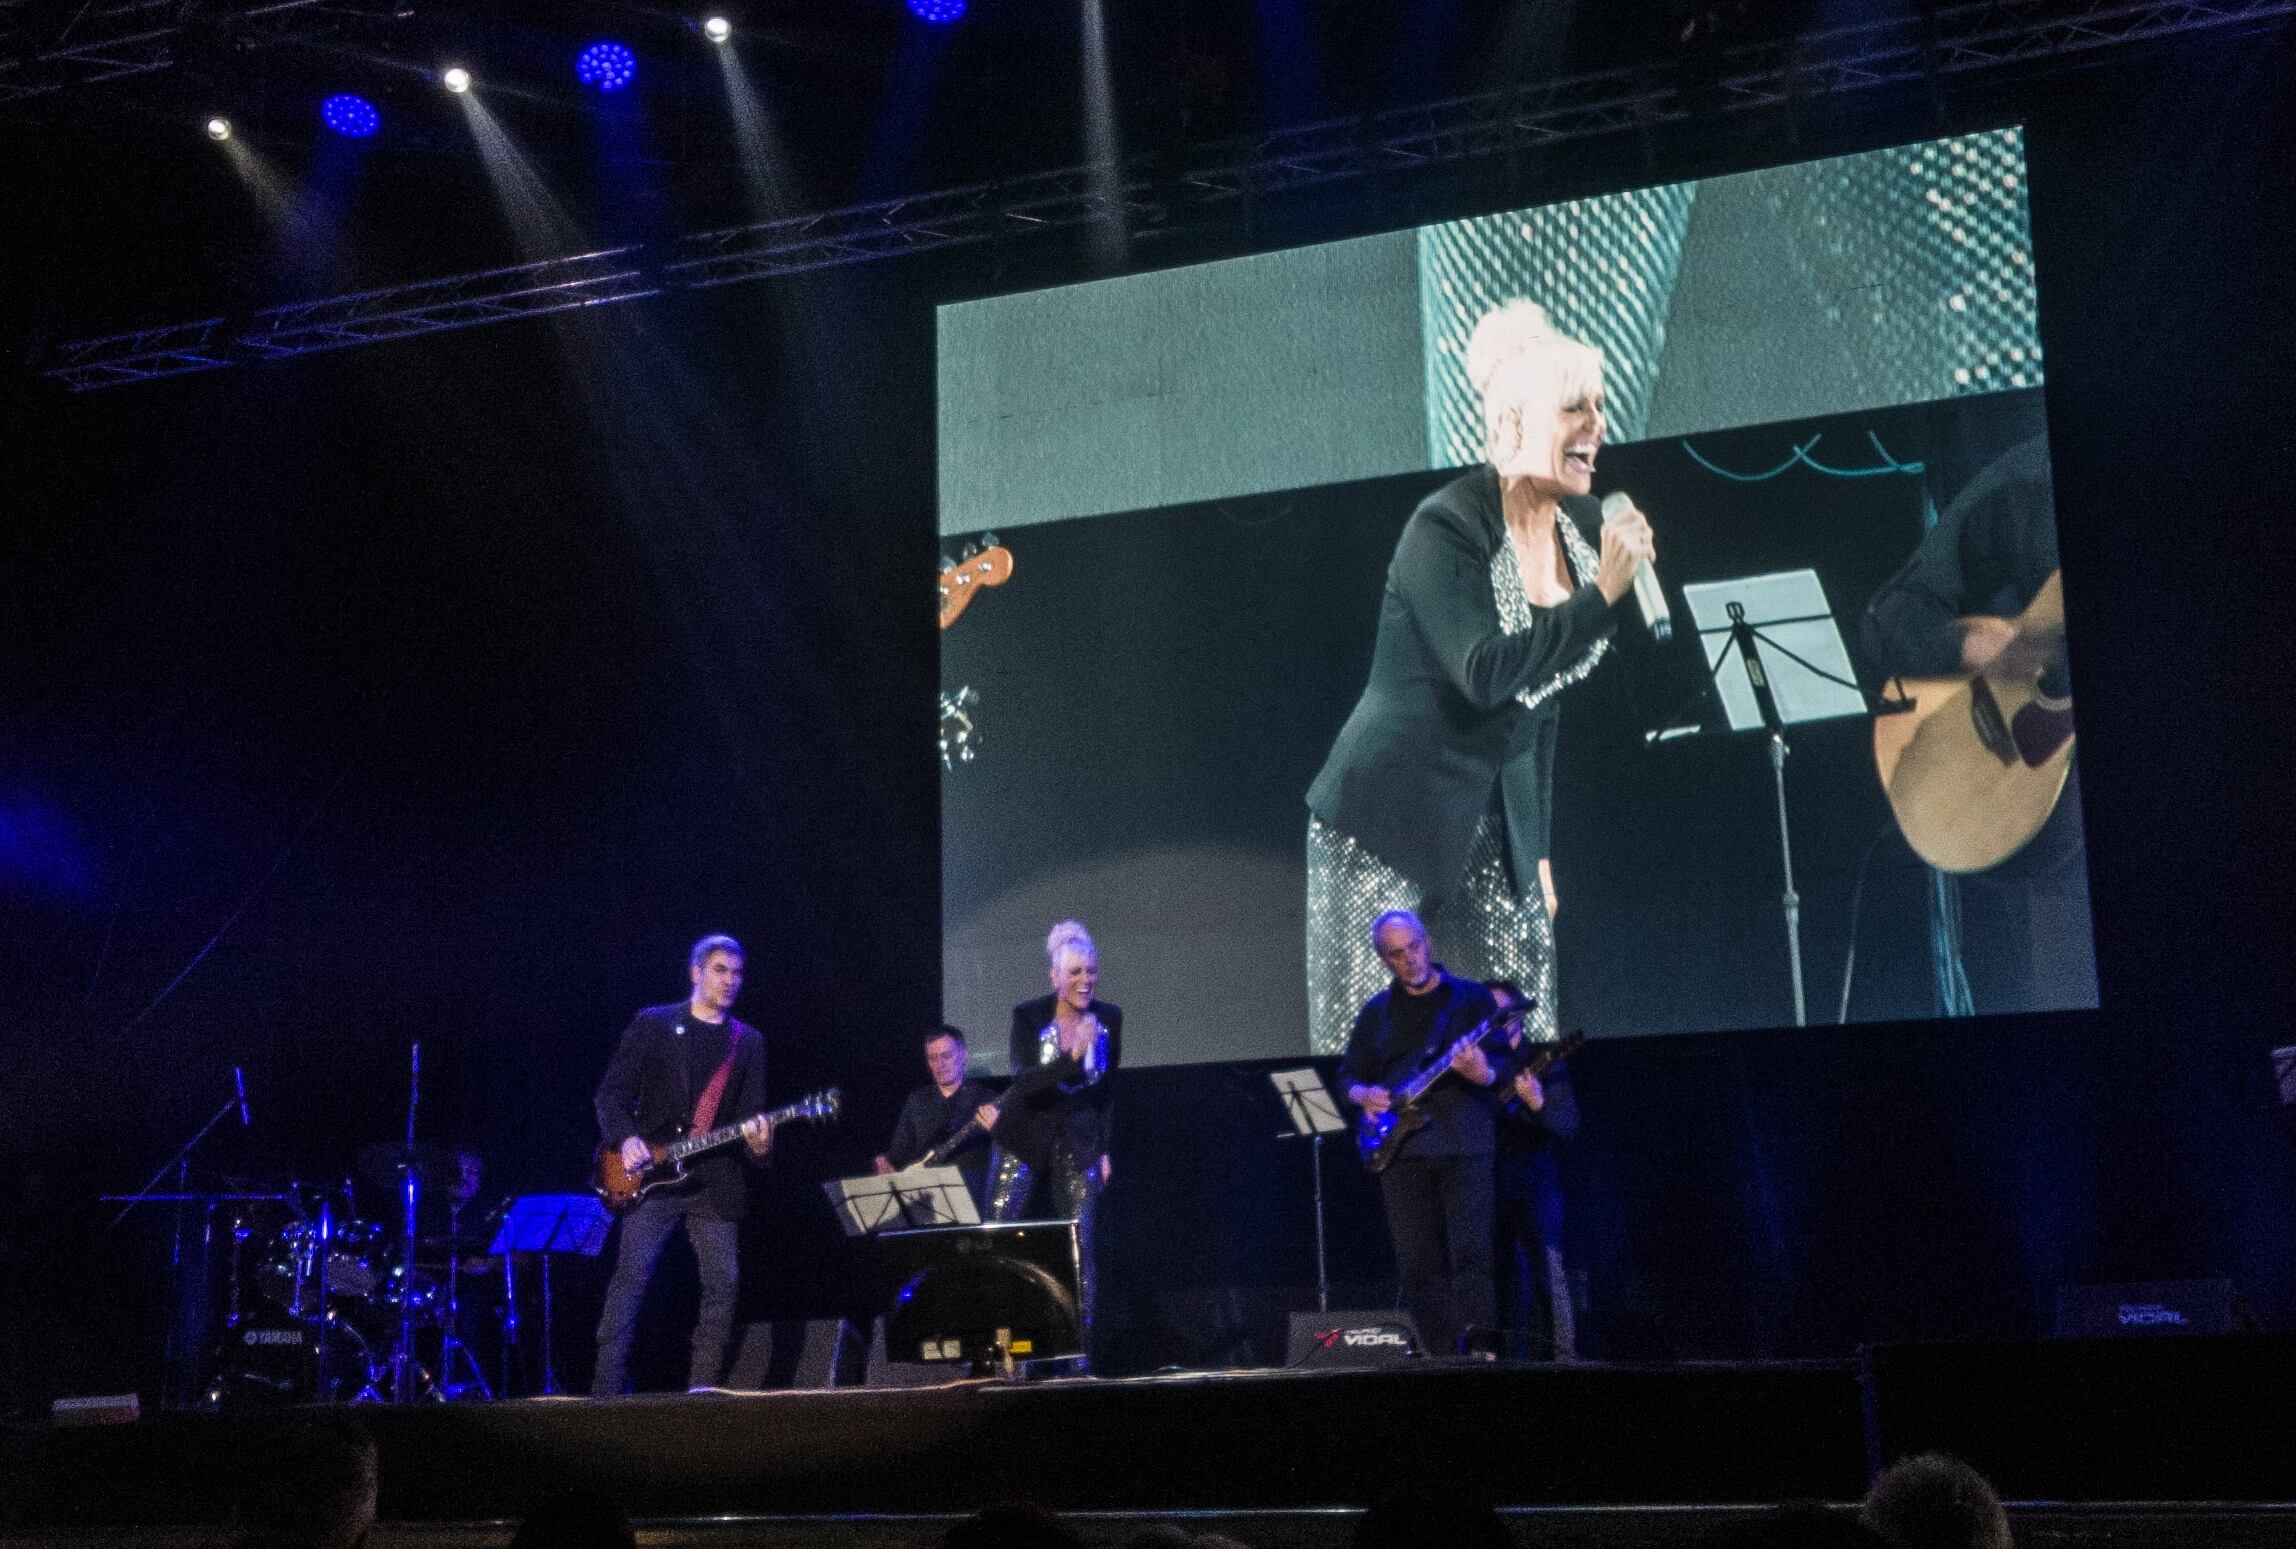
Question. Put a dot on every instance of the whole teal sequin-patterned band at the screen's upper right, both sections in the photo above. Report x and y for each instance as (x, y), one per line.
(1895, 277)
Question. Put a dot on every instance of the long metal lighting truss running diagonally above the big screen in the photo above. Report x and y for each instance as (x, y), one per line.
(1955, 40)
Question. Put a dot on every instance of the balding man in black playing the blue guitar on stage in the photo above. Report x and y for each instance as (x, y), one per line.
(1438, 1190)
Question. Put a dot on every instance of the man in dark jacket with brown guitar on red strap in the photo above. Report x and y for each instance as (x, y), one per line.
(669, 1064)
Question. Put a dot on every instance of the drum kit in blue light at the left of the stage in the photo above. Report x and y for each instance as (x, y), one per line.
(320, 1305)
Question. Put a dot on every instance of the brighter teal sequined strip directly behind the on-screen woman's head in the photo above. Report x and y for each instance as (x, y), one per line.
(1604, 270)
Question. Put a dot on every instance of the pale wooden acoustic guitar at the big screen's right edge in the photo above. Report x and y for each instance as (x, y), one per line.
(1983, 758)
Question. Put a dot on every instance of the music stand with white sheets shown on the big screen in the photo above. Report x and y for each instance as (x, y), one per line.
(1806, 676)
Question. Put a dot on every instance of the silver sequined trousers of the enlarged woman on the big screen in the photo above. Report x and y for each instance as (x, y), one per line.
(1487, 931)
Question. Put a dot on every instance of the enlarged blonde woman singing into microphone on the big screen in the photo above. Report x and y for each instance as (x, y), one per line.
(1438, 793)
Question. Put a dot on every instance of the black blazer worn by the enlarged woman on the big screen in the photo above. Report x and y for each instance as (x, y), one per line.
(1441, 726)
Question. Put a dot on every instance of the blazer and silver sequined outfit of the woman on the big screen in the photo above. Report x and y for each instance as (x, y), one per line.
(1438, 793)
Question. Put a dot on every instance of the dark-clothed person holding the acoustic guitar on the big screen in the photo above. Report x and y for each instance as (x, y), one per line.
(1950, 609)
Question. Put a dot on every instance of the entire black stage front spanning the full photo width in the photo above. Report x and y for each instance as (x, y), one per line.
(2189, 1419)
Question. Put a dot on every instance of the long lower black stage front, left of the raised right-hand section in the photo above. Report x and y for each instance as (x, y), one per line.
(1220, 1442)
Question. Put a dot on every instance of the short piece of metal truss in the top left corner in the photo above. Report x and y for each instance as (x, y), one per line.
(104, 40)
